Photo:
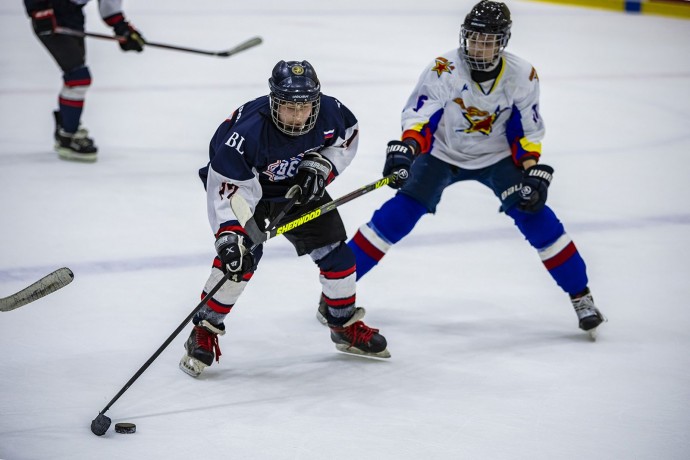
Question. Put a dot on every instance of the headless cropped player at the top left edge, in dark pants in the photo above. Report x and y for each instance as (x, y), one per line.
(72, 141)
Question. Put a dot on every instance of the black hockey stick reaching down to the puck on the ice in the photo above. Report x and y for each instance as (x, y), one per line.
(101, 423)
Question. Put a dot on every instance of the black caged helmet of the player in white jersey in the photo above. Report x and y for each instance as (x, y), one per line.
(488, 22)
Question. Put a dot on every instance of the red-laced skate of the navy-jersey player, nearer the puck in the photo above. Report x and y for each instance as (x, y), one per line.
(202, 346)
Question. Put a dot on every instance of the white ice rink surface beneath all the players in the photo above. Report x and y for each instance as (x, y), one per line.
(487, 360)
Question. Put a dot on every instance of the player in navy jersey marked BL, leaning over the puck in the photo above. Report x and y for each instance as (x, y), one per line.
(294, 140)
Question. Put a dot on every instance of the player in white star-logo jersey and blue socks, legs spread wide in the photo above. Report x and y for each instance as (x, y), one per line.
(474, 115)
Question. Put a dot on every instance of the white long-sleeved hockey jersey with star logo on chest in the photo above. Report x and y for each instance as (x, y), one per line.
(474, 125)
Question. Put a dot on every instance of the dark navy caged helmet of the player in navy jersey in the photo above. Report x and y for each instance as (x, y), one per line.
(294, 82)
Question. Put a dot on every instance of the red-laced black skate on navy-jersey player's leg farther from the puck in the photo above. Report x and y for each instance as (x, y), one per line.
(357, 338)
